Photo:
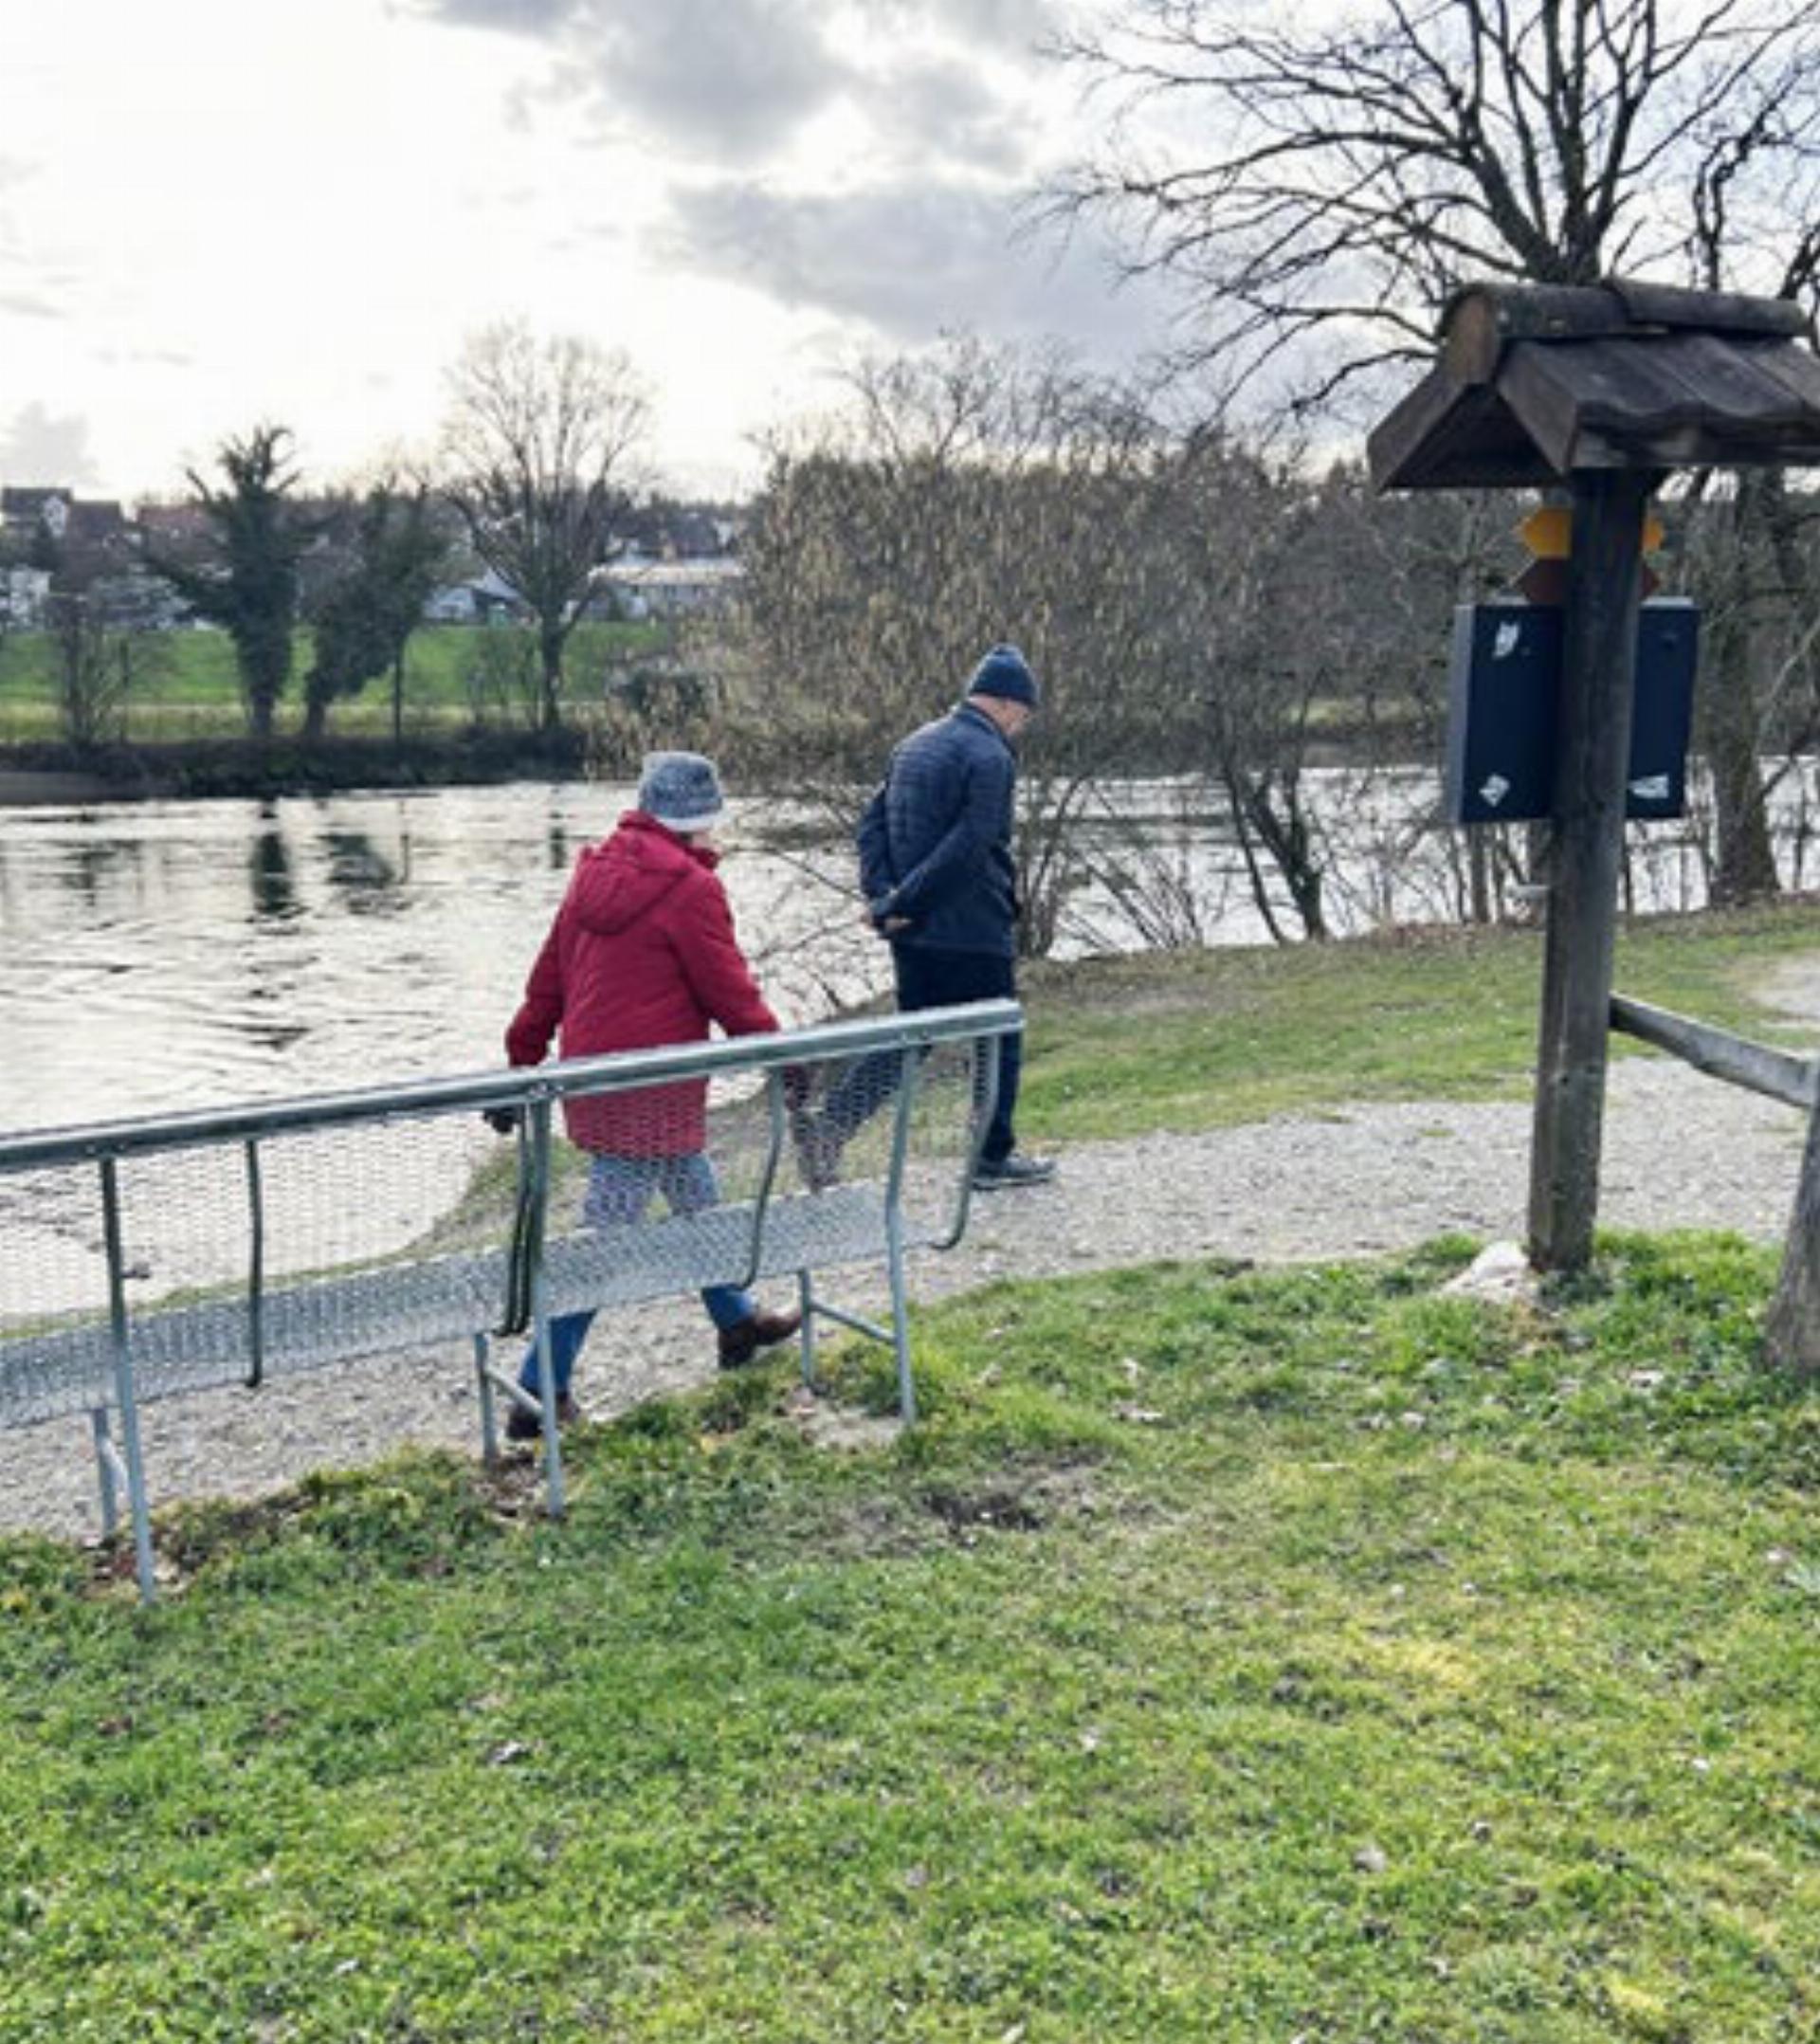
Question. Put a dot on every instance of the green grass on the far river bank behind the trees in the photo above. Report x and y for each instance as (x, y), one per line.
(193, 692)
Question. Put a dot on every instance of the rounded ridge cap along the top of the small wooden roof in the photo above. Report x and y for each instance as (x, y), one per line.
(1480, 320)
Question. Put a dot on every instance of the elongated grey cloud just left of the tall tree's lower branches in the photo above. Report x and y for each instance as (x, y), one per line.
(912, 261)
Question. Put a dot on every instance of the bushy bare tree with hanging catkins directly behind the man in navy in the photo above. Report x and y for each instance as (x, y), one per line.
(961, 498)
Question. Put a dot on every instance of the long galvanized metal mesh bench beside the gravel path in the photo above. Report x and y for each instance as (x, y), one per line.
(164, 1256)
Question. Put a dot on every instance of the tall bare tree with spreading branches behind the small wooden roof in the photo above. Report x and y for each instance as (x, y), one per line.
(1321, 185)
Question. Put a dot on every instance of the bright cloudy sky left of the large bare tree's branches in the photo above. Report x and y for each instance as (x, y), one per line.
(220, 212)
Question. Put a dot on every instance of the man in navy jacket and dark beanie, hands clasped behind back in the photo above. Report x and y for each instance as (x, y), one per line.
(943, 890)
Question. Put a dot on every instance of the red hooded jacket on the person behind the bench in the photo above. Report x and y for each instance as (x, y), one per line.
(642, 954)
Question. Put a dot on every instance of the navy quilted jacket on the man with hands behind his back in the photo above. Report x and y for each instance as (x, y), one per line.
(937, 839)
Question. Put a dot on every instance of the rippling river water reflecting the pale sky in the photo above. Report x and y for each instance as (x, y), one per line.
(179, 956)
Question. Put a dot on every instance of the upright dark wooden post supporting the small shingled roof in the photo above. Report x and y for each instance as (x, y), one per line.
(1605, 579)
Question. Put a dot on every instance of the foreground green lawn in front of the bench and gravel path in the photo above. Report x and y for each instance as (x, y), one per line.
(1225, 1659)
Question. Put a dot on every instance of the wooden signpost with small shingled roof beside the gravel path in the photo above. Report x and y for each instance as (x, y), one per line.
(1602, 391)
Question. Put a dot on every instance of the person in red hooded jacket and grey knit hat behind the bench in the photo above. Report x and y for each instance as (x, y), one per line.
(642, 954)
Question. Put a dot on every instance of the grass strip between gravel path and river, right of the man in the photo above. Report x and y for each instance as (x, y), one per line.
(1216, 1037)
